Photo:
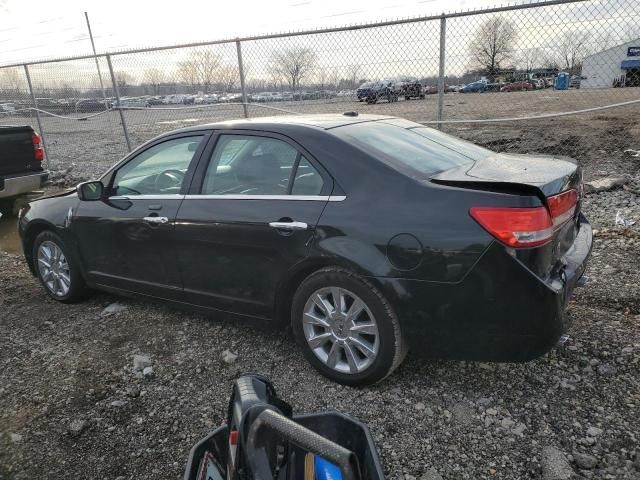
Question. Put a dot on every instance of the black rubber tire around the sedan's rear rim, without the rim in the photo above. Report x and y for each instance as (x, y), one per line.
(388, 328)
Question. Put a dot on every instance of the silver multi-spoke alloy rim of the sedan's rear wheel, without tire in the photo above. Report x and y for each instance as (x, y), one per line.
(341, 330)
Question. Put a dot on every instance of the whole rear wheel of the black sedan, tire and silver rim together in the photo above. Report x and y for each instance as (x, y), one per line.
(346, 328)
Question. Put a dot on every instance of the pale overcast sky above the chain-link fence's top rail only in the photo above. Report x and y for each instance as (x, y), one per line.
(41, 29)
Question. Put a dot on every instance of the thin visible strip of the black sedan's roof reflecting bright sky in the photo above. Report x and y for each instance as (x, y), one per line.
(317, 121)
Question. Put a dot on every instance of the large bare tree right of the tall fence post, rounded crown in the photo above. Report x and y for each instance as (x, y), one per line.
(492, 44)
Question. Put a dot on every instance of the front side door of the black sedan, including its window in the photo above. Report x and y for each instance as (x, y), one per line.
(127, 240)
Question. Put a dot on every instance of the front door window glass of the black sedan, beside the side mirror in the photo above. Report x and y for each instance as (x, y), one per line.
(159, 170)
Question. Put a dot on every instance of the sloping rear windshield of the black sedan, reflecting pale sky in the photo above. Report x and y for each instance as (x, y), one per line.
(416, 151)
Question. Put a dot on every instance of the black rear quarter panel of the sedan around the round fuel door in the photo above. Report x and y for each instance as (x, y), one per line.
(380, 203)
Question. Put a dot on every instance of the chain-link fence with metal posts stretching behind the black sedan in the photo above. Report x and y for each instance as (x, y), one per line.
(559, 77)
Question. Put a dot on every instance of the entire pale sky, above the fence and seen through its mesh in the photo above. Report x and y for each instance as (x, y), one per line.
(39, 30)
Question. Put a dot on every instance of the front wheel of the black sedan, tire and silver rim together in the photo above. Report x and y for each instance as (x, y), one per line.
(57, 270)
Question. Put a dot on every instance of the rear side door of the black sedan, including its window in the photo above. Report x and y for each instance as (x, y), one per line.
(248, 220)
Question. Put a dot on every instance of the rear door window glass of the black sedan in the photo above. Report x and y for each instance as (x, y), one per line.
(253, 165)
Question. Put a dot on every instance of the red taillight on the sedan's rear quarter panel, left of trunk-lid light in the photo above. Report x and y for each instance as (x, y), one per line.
(516, 227)
